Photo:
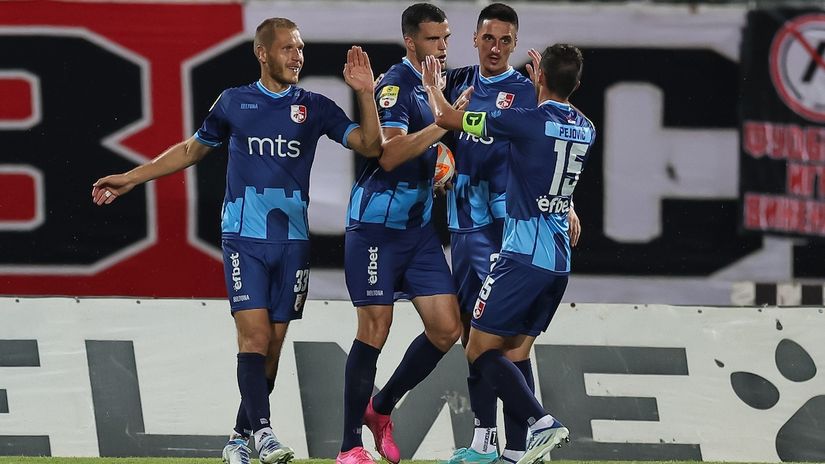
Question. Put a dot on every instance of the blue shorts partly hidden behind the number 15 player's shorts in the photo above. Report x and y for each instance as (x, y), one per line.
(473, 255)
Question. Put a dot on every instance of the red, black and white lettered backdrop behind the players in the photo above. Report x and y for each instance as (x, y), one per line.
(89, 89)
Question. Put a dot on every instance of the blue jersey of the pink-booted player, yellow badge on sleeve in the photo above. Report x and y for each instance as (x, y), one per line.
(402, 198)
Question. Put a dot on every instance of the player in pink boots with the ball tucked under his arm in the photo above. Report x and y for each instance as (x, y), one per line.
(392, 248)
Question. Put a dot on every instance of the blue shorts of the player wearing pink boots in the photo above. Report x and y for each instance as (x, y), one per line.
(382, 265)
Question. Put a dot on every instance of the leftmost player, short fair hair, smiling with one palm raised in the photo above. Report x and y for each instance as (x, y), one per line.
(272, 127)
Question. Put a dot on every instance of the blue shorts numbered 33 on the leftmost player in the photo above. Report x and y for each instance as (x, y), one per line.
(274, 276)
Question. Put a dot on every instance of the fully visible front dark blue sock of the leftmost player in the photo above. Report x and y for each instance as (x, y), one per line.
(252, 383)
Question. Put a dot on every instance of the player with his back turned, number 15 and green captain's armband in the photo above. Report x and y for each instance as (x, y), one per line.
(548, 149)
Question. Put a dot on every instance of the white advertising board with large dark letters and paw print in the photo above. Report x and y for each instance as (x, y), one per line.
(632, 382)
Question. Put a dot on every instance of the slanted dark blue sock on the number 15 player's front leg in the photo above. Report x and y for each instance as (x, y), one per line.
(509, 384)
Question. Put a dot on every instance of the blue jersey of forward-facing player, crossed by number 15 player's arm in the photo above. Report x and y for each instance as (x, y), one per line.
(477, 197)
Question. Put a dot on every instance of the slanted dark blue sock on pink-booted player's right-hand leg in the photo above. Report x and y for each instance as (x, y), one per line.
(419, 360)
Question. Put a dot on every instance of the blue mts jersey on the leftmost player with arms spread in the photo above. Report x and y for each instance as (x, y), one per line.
(272, 140)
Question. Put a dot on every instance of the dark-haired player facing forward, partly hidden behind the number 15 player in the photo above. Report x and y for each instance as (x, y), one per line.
(475, 213)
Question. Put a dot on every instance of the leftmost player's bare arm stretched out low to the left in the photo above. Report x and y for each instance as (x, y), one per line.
(176, 158)
